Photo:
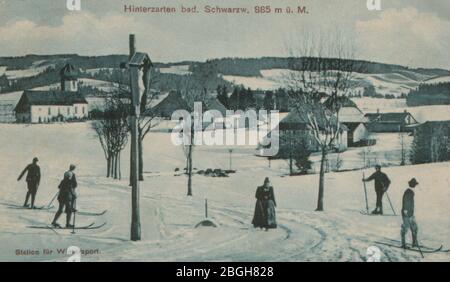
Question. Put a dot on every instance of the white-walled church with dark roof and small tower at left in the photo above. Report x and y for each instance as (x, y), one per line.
(54, 105)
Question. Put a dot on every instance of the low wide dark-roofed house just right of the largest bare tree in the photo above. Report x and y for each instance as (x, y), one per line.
(391, 122)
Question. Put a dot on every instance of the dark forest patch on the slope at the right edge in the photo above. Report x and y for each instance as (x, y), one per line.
(430, 94)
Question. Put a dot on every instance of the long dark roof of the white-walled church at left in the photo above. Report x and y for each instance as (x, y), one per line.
(51, 98)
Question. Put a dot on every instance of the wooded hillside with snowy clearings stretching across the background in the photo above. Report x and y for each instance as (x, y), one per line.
(267, 73)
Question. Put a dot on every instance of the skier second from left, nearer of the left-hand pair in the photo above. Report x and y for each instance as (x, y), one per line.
(66, 197)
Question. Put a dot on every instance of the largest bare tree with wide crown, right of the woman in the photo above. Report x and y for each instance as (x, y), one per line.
(322, 68)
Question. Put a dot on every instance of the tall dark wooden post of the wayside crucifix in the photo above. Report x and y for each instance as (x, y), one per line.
(135, 215)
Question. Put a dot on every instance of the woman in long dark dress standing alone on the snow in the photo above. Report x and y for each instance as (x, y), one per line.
(264, 216)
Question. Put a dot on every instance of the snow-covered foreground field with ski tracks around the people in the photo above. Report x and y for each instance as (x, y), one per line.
(168, 217)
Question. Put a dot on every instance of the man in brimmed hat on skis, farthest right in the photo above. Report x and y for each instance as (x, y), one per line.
(409, 221)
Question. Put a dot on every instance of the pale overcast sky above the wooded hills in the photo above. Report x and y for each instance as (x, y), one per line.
(409, 32)
